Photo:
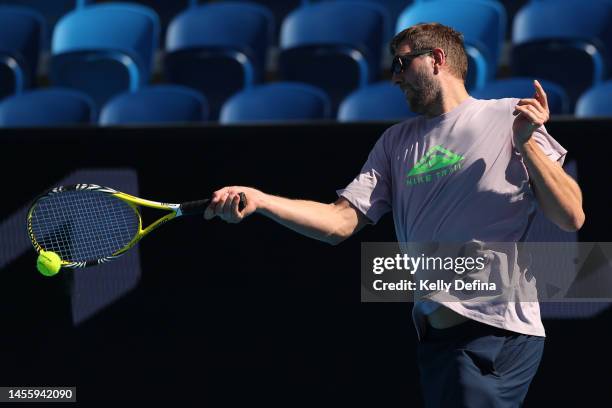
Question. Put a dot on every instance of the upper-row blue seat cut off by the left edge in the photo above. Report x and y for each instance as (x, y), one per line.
(22, 37)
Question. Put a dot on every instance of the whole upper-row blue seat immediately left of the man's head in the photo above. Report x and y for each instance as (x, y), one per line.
(333, 45)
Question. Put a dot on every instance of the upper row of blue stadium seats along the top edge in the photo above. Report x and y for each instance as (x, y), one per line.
(222, 48)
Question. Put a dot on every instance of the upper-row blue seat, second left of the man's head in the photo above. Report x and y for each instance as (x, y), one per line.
(218, 49)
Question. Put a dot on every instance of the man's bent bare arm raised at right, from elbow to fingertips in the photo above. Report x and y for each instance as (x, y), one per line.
(557, 193)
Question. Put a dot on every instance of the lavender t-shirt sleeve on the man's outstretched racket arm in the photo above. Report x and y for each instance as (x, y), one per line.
(370, 191)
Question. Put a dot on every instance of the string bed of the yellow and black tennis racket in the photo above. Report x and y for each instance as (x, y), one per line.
(83, 226)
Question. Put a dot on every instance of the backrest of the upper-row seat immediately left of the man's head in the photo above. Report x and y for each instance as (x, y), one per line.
(360, 25)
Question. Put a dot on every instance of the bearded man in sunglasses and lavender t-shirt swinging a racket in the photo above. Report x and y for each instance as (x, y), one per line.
(495, 160)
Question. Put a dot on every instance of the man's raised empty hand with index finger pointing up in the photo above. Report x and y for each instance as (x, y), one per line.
(531, 113)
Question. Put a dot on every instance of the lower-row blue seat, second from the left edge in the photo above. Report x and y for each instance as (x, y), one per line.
(155, 104)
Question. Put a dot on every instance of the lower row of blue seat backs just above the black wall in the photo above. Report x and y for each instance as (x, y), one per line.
(276, 102)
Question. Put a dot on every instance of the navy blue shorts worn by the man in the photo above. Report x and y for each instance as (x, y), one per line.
(476, 365)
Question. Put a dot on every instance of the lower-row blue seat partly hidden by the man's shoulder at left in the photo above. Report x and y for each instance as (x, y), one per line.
(379, 101)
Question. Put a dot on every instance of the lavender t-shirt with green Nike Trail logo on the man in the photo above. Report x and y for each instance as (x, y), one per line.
(457, 177)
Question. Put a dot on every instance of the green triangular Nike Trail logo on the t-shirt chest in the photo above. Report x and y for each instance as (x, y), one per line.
(437, 162)
